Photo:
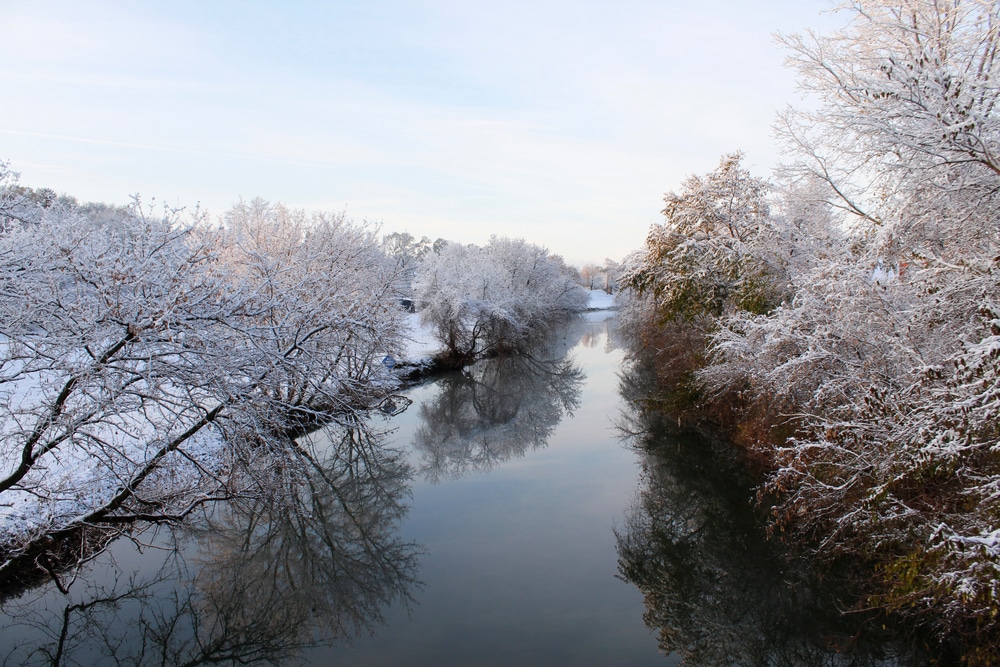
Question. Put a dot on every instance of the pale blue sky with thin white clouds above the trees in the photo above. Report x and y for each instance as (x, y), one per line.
(561, 122)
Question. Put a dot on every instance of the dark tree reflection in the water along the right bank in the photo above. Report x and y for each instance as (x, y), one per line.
(716, 592)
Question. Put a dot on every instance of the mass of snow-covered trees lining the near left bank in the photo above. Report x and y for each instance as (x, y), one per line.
(140, 352)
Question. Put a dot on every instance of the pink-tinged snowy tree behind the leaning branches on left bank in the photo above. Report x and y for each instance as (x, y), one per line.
(324, 295)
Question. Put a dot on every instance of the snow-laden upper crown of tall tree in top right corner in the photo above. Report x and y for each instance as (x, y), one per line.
(906, 131)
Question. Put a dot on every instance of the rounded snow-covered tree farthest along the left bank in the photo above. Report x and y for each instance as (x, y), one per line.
(493, 298)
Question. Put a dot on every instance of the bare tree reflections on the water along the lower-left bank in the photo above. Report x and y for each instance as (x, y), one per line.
(305, 553)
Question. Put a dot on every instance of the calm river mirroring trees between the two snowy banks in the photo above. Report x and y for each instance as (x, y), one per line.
(501, 519)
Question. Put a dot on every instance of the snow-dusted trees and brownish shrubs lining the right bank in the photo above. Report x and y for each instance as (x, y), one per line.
(843, 321)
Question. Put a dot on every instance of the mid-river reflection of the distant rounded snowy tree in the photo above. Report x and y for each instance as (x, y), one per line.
(495, 410)
